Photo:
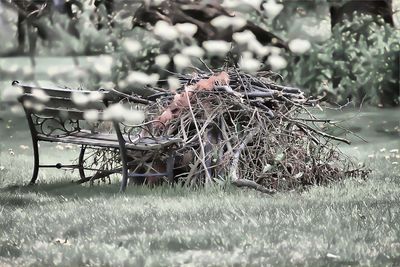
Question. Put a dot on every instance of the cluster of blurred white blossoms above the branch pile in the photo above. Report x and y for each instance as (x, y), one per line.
(162, 46)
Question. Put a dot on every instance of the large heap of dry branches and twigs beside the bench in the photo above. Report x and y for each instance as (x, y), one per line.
(249, 131)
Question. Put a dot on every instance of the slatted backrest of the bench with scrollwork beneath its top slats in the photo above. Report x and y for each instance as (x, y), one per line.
(56, 111)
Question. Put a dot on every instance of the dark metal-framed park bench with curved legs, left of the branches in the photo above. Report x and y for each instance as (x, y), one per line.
(60, 109)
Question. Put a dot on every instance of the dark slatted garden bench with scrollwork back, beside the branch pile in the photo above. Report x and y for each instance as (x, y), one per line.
(54, 116)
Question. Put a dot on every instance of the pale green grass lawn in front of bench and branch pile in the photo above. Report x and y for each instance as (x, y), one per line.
(353, 222)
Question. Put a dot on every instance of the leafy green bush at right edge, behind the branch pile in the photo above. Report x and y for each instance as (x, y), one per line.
(359, 62)
